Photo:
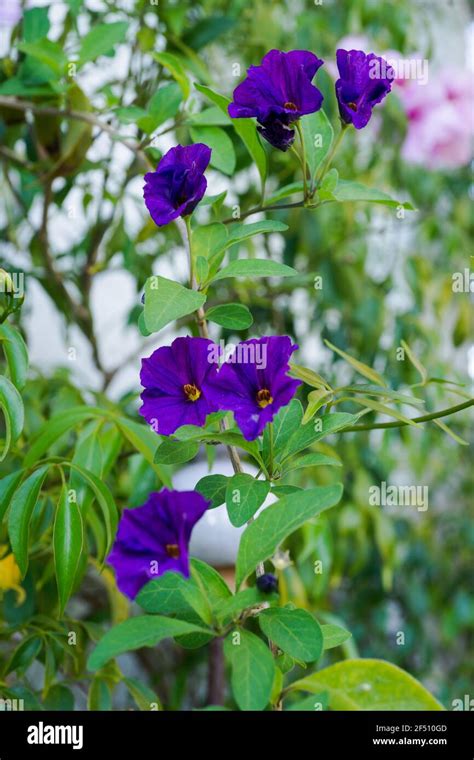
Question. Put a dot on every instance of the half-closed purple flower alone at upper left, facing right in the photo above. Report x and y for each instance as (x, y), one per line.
(178, 184)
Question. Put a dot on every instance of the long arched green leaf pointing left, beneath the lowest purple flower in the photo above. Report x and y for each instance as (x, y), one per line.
(138, 632)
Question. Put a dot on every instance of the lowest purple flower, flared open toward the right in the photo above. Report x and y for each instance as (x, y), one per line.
(154, 538)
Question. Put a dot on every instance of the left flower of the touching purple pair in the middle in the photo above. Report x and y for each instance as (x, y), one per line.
(176, 382)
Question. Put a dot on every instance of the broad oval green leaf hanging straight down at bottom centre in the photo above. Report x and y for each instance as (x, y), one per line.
(253, 670)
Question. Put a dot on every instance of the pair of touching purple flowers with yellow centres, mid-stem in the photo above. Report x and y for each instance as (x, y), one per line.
(183, 384)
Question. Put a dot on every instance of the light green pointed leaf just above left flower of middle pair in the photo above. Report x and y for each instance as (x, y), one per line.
(166, 301)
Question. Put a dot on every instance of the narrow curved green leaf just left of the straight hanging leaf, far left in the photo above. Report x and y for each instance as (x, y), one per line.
(21, 510)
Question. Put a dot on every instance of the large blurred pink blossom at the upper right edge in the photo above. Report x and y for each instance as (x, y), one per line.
(440, 120)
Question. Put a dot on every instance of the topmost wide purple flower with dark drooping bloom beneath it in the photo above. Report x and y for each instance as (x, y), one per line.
(277, 93)
